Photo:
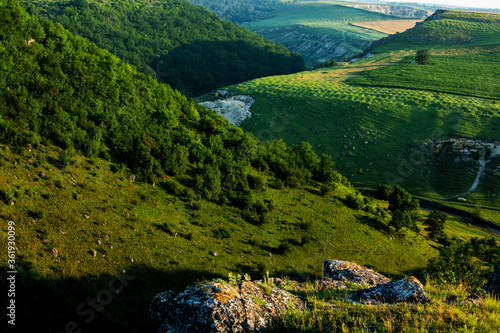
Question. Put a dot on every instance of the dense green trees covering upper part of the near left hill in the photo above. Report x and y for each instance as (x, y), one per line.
(60, 89)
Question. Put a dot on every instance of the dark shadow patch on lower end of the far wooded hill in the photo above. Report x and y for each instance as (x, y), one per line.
(201, 66)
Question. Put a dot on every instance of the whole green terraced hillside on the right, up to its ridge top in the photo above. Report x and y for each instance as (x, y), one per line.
(381, 117)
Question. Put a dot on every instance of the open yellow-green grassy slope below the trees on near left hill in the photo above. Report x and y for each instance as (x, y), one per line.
(165, 242)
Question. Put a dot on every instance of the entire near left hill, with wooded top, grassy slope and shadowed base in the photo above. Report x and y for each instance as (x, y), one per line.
(119, 187)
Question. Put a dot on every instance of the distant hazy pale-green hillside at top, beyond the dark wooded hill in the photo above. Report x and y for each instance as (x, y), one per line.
(303, 27)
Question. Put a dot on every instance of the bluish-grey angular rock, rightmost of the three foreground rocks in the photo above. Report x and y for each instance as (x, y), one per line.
(407, 290)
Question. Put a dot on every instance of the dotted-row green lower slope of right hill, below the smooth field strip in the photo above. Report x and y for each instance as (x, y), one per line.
(379, 125)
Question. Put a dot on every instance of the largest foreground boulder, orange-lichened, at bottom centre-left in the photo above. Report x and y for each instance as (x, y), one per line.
(221, 307)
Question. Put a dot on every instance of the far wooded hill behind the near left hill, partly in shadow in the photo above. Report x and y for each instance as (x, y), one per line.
(179, 43)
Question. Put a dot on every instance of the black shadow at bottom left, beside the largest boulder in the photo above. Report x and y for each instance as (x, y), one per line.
(54, 305)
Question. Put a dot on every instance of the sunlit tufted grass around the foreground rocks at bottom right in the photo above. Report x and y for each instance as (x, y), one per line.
(330, 312)
